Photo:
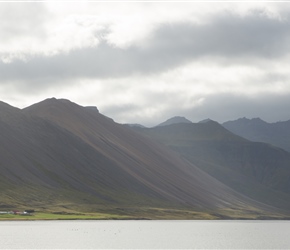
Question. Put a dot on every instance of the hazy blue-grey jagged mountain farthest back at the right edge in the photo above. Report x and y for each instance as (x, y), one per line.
(277, 134)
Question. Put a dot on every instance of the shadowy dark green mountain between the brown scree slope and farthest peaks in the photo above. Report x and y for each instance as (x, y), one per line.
(257, 170)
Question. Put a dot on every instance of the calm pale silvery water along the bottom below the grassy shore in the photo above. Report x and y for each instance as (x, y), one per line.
(145, 235)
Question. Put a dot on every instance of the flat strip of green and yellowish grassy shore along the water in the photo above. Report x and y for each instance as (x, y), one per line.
(145, 213)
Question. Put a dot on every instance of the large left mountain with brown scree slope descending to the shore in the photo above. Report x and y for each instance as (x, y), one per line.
(57, 155)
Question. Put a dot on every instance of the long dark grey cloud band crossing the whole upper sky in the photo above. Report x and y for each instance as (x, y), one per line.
(226, 36)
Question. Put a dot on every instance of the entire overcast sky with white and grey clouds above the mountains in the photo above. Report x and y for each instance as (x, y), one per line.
(146, 61)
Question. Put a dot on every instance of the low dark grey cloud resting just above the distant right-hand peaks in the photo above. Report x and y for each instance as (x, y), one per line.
(228, 106)
